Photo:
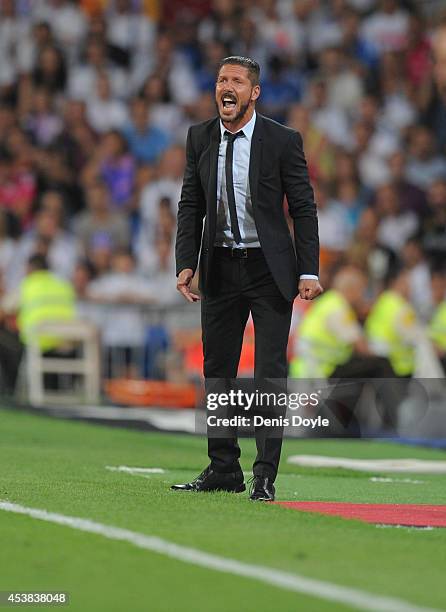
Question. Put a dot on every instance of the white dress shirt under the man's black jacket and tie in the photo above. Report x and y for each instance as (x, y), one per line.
(243, 202)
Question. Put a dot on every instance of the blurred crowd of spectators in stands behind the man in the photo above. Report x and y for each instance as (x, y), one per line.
(96, 98)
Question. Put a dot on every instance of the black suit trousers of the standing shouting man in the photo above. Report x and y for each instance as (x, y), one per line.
(240, 287)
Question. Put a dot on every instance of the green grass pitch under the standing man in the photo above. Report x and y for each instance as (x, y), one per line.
(60, 466)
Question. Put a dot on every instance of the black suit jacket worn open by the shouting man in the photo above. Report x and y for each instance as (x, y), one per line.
(277, 167)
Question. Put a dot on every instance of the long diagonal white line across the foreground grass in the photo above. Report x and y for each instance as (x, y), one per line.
(292, 582)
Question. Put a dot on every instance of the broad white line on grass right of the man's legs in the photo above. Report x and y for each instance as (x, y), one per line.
(420, 466)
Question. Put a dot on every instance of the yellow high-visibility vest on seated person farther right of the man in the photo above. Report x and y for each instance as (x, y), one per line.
(382, 327)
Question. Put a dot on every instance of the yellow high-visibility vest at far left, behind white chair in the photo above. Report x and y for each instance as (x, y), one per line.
(44, 297)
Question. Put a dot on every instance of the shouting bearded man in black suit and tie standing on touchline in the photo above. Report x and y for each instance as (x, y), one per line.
(239, 167)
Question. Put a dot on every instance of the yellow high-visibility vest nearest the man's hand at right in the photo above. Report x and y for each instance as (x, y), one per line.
(319, 349)
